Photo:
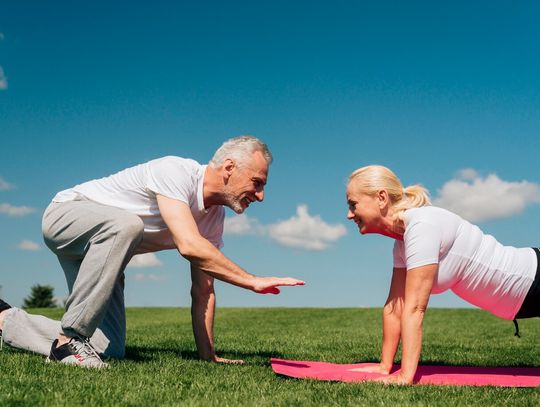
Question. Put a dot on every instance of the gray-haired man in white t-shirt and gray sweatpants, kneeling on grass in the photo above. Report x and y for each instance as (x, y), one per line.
(96, 227)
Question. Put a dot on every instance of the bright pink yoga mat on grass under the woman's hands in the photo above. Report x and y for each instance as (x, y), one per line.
(438, 375)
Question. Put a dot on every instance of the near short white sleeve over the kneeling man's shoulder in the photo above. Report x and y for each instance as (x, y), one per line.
(171, 178)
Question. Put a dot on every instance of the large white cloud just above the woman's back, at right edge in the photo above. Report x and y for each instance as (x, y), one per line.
(478, 198)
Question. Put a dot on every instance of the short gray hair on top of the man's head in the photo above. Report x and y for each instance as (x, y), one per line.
(240, 149)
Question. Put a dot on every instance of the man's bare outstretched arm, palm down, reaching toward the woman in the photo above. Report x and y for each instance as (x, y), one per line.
(205, 257)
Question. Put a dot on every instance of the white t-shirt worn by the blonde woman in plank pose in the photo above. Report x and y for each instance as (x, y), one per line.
(473, 265)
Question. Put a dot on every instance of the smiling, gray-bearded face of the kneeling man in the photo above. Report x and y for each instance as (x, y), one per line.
(246, 183)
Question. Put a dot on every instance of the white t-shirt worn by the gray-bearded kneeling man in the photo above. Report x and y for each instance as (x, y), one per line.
(134, 189)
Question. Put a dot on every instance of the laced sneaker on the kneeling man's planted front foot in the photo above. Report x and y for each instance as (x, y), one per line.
(77, 352)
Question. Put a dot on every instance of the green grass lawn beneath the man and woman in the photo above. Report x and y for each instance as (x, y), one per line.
(161, 367)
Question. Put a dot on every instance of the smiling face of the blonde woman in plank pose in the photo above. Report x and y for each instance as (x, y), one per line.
(364, 210)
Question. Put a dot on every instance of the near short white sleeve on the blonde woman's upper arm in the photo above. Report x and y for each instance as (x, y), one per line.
(422, 242)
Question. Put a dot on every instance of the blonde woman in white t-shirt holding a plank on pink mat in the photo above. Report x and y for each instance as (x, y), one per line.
(435, 250)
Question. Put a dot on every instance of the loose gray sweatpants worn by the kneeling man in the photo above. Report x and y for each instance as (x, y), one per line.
(93, 243)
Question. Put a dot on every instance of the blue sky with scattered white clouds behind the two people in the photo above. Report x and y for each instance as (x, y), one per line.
(445, 94)
